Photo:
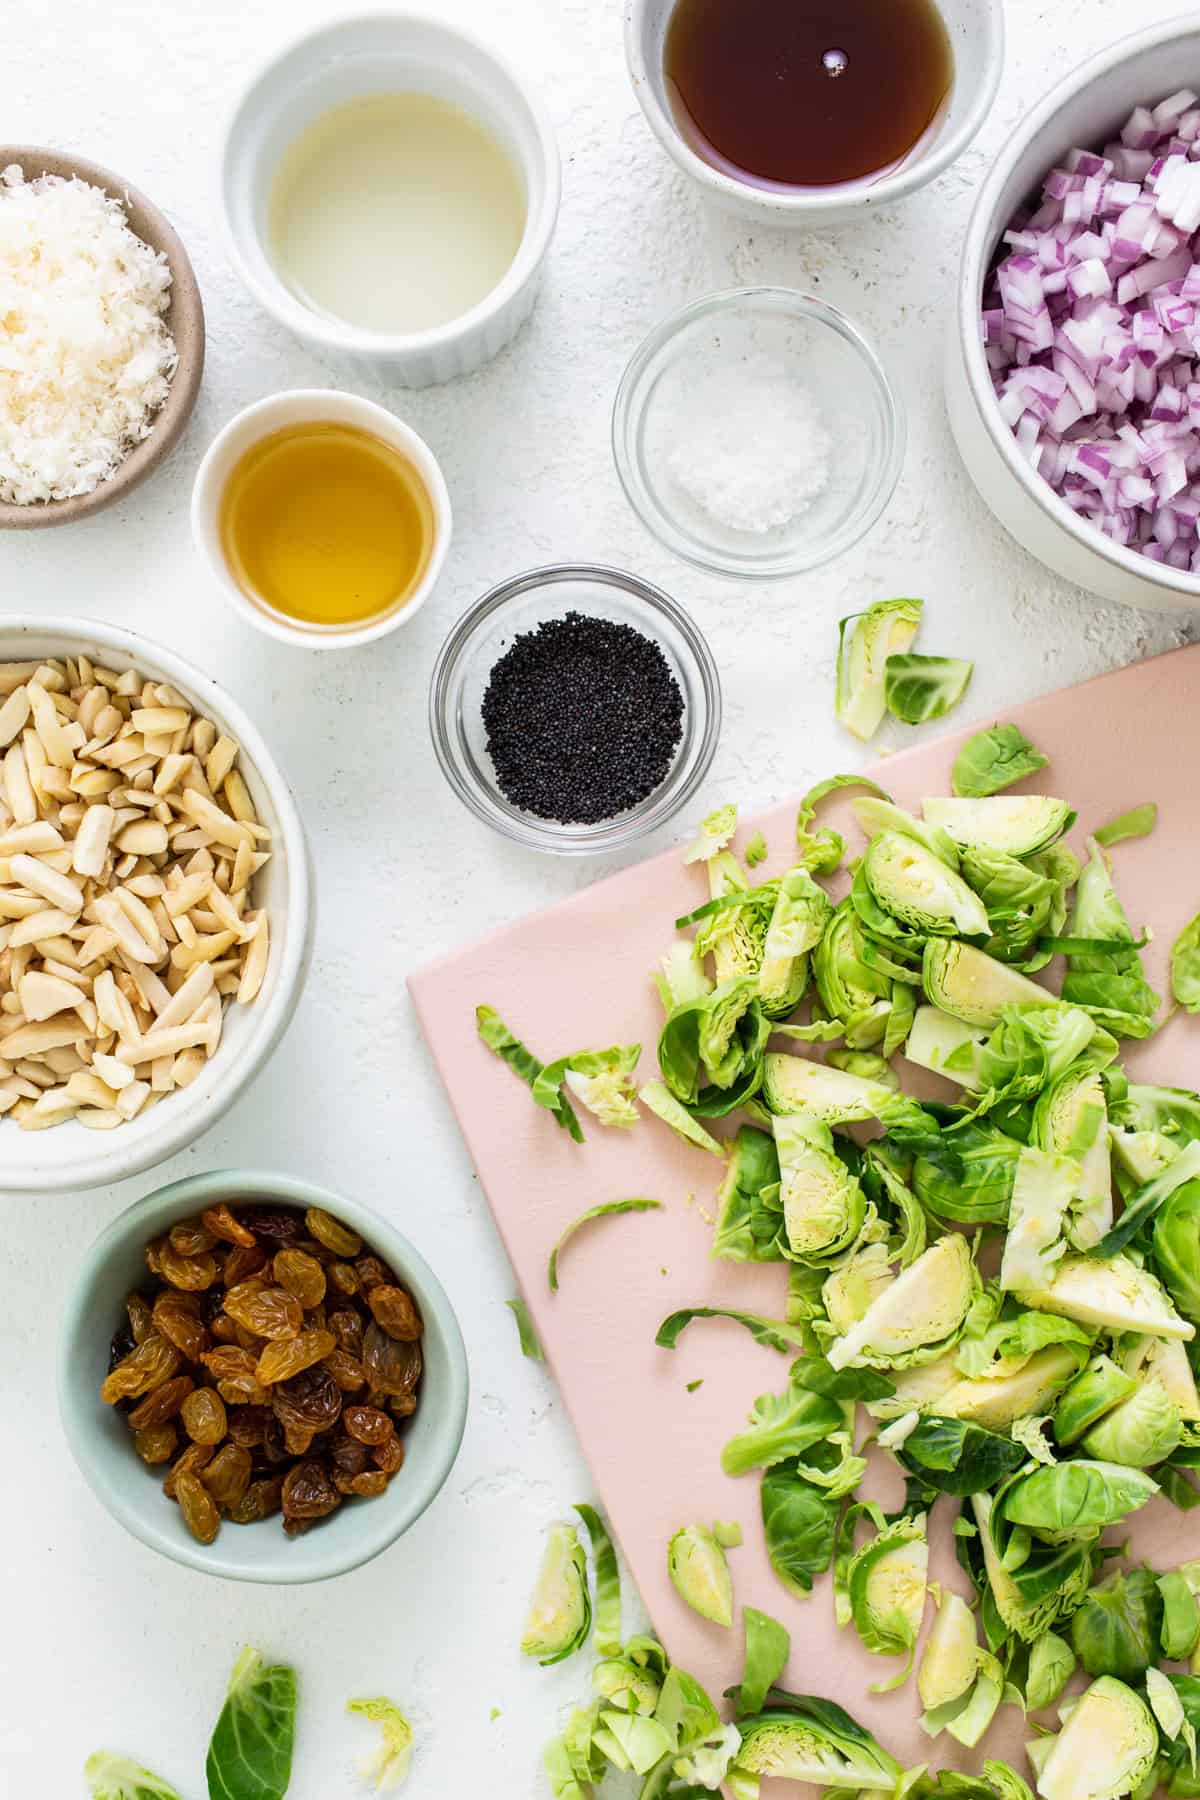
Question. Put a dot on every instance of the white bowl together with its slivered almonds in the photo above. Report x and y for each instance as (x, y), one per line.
(156, 930)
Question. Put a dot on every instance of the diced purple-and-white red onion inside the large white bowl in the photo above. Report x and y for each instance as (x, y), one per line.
(1091, 330)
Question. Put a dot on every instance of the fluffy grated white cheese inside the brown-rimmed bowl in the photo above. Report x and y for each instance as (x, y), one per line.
(85, 355)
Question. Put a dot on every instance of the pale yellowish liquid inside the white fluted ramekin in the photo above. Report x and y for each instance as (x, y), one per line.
(395, 213)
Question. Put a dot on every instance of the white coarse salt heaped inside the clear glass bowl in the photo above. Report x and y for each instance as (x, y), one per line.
(751, 445)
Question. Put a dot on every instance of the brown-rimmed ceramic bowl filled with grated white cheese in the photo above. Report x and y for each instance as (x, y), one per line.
(102, 339)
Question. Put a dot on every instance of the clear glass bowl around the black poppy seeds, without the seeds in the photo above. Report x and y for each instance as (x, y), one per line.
(481, 638)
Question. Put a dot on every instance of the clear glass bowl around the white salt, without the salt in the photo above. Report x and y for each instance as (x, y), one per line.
(773, 332)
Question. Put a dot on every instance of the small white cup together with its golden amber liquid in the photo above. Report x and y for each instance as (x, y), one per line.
(323, 517)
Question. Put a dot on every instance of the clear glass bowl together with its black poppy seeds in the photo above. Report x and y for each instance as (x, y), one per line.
(575, 708)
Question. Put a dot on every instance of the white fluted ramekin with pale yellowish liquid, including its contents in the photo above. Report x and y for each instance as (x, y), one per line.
(391, 188)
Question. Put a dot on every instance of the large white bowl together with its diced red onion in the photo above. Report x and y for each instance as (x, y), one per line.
(1073, 377)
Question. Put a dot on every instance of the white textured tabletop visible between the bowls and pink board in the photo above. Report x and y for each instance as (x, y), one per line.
(103, 1642)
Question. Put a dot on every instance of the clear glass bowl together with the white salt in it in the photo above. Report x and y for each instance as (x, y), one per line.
(757, 433)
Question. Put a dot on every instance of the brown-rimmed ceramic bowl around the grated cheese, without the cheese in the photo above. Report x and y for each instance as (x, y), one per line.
(184, 319)
